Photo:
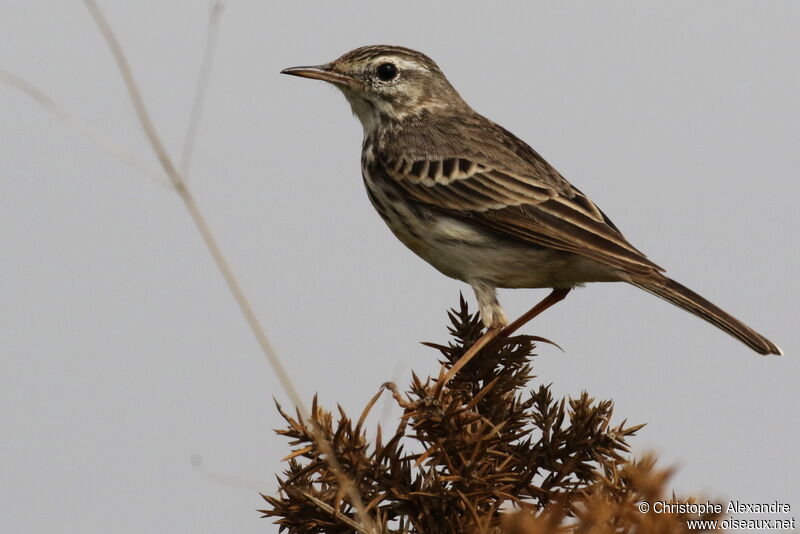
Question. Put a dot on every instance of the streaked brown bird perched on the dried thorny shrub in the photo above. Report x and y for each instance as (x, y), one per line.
(479, 204)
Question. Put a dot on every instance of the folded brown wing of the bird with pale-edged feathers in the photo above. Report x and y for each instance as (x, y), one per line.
(538, 207)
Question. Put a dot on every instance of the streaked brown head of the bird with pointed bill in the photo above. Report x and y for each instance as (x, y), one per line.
(386, 83)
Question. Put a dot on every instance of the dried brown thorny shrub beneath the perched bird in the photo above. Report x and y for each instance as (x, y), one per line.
(494, 457)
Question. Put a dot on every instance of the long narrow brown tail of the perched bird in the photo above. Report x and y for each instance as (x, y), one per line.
(685, 298)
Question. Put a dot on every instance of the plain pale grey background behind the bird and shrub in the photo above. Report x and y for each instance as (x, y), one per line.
(124, 357)
